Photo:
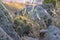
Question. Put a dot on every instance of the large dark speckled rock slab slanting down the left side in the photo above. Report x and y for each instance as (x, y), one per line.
(7, 26)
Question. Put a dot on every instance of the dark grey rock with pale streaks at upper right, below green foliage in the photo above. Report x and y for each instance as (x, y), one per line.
(50, 9)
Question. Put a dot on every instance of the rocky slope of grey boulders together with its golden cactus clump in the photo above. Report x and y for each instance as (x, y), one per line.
(35, 23)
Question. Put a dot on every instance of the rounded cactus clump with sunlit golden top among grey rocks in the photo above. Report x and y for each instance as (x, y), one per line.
(26, 26)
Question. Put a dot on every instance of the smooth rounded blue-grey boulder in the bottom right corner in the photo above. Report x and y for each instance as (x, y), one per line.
(54, 32)
